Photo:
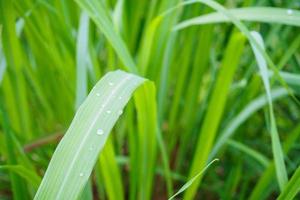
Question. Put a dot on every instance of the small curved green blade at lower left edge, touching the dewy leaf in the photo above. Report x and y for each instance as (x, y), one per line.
(30, 176)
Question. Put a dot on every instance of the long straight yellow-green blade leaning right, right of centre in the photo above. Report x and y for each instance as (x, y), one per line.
(215, 109)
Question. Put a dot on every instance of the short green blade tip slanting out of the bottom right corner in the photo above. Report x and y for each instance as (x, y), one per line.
(292, 187)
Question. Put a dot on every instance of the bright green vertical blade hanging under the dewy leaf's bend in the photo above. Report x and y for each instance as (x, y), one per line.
(145, 101)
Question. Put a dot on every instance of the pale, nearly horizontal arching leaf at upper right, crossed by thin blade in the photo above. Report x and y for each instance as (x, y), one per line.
(257, 14)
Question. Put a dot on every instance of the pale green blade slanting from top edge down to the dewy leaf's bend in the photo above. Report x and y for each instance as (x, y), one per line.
(99, 14)
